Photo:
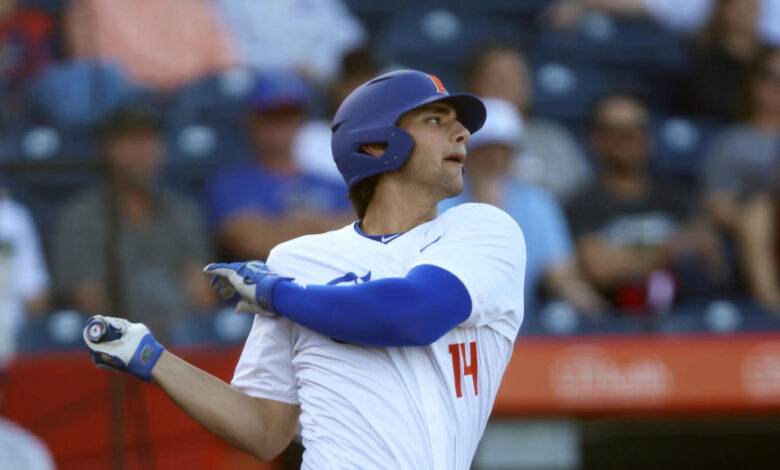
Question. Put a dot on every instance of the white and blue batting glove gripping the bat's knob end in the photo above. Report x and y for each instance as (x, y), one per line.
(117, 344)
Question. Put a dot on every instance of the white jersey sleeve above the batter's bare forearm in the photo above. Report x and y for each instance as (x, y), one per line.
(265, 368)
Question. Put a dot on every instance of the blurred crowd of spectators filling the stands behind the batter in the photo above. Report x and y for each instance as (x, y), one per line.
(636, 143)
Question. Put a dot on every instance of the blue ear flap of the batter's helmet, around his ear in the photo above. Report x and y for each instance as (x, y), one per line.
(362, 165)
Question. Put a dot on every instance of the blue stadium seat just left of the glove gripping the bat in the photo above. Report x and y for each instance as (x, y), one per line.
(57, 331)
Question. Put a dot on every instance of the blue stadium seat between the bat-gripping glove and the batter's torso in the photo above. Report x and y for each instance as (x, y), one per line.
(222, 328)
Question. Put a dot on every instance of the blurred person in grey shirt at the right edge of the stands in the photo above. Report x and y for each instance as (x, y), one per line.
(742, 158)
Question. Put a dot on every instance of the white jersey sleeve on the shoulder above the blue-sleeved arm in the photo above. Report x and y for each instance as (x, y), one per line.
(485, 248)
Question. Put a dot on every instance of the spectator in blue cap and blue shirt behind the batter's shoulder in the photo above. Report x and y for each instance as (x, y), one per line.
(260, 203)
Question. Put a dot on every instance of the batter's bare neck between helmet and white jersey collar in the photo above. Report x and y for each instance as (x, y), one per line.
(392, 210)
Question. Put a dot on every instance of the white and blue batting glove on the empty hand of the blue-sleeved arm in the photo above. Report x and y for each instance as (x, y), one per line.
(253, 281)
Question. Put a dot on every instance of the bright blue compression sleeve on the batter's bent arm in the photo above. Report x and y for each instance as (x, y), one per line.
(415, 310)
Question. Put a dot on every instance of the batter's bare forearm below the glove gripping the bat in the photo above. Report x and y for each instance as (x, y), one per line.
(260, 427)
